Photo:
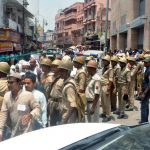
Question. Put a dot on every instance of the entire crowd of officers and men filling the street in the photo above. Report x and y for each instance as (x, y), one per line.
(35, 94)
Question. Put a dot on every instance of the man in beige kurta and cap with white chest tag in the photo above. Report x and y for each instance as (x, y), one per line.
(19, 107)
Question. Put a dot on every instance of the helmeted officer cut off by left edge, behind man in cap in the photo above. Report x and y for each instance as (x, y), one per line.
(4, 70)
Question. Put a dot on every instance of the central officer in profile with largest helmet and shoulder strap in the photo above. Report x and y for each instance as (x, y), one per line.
(69, 101)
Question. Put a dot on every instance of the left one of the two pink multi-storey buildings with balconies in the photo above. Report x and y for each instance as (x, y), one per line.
(69, 26)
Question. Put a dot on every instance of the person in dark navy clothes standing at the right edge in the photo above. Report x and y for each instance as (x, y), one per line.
(145, 93)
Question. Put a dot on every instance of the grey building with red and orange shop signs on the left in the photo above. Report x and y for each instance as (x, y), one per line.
(12, 25)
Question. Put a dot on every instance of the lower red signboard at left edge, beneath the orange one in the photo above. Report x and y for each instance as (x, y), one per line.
(6, 46)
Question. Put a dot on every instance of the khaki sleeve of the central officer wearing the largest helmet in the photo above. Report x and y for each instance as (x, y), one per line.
(71, 96)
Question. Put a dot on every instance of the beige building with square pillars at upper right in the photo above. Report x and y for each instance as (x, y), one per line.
(130, 24)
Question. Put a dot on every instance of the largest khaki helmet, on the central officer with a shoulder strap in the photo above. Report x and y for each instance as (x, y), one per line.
(67, 65)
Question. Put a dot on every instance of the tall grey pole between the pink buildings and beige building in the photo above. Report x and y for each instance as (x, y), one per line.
(106, 29)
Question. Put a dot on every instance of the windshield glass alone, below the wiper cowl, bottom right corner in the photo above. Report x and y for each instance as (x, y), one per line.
(137, 138)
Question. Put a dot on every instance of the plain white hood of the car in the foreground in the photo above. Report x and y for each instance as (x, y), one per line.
(54, 138)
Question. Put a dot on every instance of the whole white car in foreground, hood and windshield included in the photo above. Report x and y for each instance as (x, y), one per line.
(83, 136)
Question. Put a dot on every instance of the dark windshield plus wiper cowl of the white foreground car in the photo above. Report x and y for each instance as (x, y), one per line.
(119, 138)
